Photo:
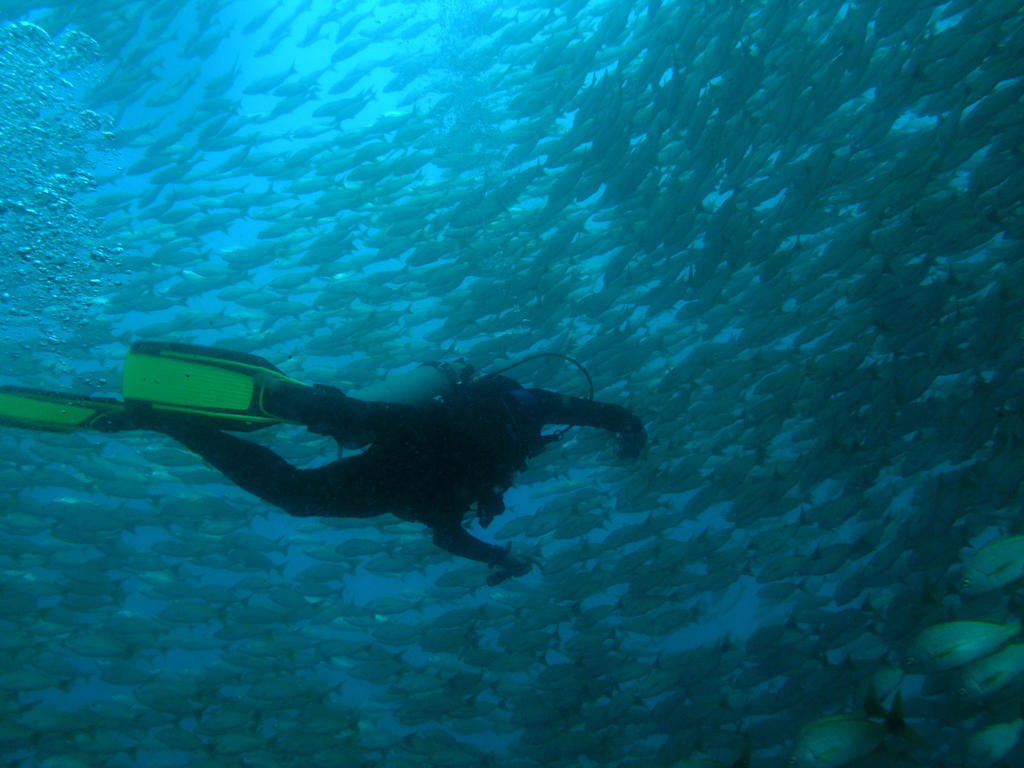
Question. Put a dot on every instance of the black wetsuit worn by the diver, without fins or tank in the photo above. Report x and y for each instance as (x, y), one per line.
(428, 463)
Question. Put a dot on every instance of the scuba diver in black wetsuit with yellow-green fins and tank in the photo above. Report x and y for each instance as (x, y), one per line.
(438, 442)
